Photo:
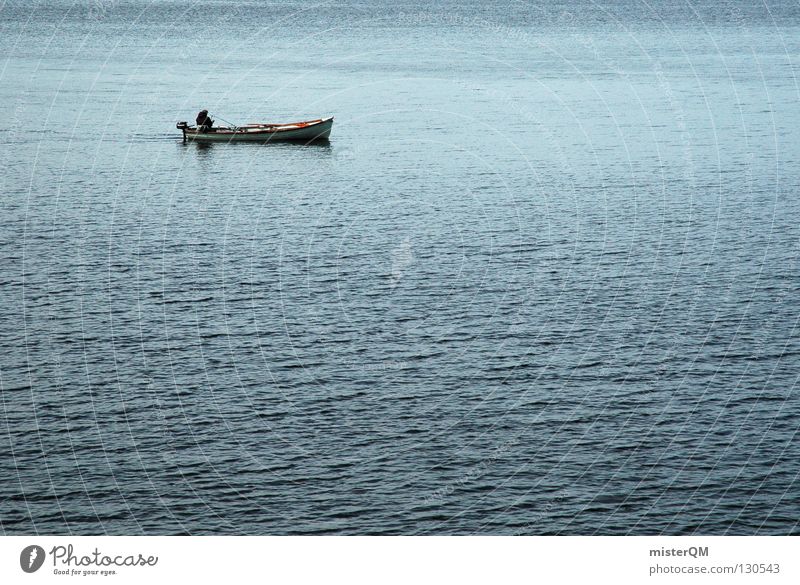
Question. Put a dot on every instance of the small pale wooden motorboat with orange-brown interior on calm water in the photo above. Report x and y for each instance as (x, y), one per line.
(307, 131)
